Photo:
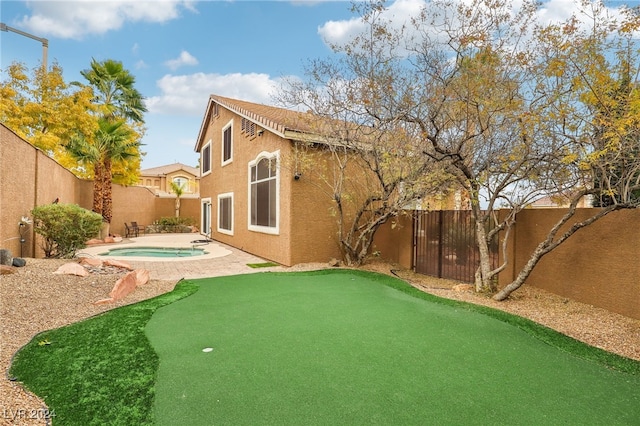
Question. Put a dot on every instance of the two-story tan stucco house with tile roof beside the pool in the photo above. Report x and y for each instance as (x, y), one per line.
(252, 195)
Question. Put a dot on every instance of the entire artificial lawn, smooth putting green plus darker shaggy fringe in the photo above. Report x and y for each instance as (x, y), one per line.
(327, 347)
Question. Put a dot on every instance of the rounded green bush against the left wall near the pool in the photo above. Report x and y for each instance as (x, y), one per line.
(65, 228)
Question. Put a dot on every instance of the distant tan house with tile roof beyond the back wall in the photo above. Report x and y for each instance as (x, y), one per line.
(159, 179)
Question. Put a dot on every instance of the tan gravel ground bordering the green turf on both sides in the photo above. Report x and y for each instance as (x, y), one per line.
(34, 300)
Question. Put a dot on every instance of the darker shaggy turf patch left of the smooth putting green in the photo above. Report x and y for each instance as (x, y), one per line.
(98, 371)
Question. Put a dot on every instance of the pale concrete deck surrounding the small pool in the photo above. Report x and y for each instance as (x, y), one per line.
(221, 259)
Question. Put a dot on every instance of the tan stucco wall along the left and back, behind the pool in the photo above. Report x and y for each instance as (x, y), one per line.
(29, 178)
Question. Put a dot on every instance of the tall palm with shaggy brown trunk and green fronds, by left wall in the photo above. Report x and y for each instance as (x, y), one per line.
(118, 103)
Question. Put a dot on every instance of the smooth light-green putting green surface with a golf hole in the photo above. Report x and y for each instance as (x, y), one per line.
(349, 348)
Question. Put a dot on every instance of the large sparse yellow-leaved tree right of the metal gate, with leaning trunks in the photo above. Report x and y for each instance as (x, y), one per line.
(503, 105)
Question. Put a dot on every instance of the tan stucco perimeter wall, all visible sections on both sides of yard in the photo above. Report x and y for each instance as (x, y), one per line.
(599, 265)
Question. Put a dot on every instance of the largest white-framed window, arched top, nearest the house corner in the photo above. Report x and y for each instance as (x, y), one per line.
(264, 193)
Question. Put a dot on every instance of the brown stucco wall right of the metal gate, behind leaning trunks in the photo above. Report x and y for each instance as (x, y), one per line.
(598, 265)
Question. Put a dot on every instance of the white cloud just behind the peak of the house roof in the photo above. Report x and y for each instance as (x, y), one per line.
(188, 94)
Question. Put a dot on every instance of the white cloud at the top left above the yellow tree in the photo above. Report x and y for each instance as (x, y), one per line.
(75, 19)
